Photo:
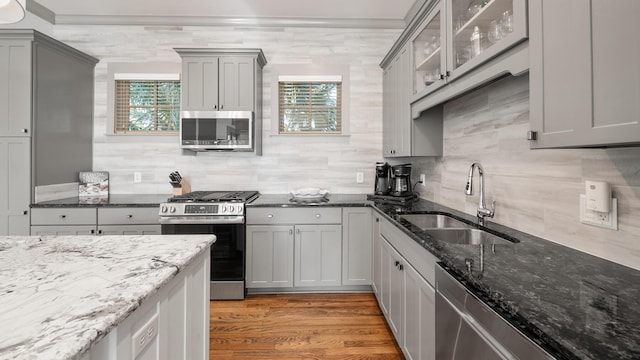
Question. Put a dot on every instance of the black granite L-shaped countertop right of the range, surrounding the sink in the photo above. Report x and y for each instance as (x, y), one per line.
(574, 305)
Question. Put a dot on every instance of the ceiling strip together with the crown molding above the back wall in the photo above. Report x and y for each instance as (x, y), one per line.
(188, 12)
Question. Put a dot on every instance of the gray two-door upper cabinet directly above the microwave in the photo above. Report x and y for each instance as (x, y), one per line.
(221, 79)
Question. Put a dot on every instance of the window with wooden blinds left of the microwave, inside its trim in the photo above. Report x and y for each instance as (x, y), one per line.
(147, 106)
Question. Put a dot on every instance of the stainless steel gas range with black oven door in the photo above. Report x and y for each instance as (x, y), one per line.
(221, 213)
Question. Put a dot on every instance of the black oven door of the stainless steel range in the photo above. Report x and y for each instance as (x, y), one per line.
(227, 253)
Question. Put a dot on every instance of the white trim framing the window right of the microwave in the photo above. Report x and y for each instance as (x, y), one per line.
(316, 71)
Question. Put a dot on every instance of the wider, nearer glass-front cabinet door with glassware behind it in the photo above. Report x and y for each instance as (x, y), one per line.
(481, 29)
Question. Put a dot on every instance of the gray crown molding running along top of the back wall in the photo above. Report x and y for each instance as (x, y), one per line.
(228, 21)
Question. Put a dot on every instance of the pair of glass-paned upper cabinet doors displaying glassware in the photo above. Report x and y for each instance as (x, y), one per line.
(459, 35)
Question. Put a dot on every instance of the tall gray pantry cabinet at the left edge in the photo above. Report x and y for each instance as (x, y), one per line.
(46, 120)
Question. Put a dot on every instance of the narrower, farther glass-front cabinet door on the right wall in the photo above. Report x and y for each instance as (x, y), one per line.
(429, 56)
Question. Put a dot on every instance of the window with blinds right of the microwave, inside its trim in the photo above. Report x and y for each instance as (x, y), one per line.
(310, 106)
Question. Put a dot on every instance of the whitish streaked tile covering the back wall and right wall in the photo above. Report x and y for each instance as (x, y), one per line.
(537, 191)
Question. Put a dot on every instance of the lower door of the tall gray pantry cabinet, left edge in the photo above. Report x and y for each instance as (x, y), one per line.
(15, 158)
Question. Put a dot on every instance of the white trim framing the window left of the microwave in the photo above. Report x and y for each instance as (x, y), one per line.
(125, 71)
